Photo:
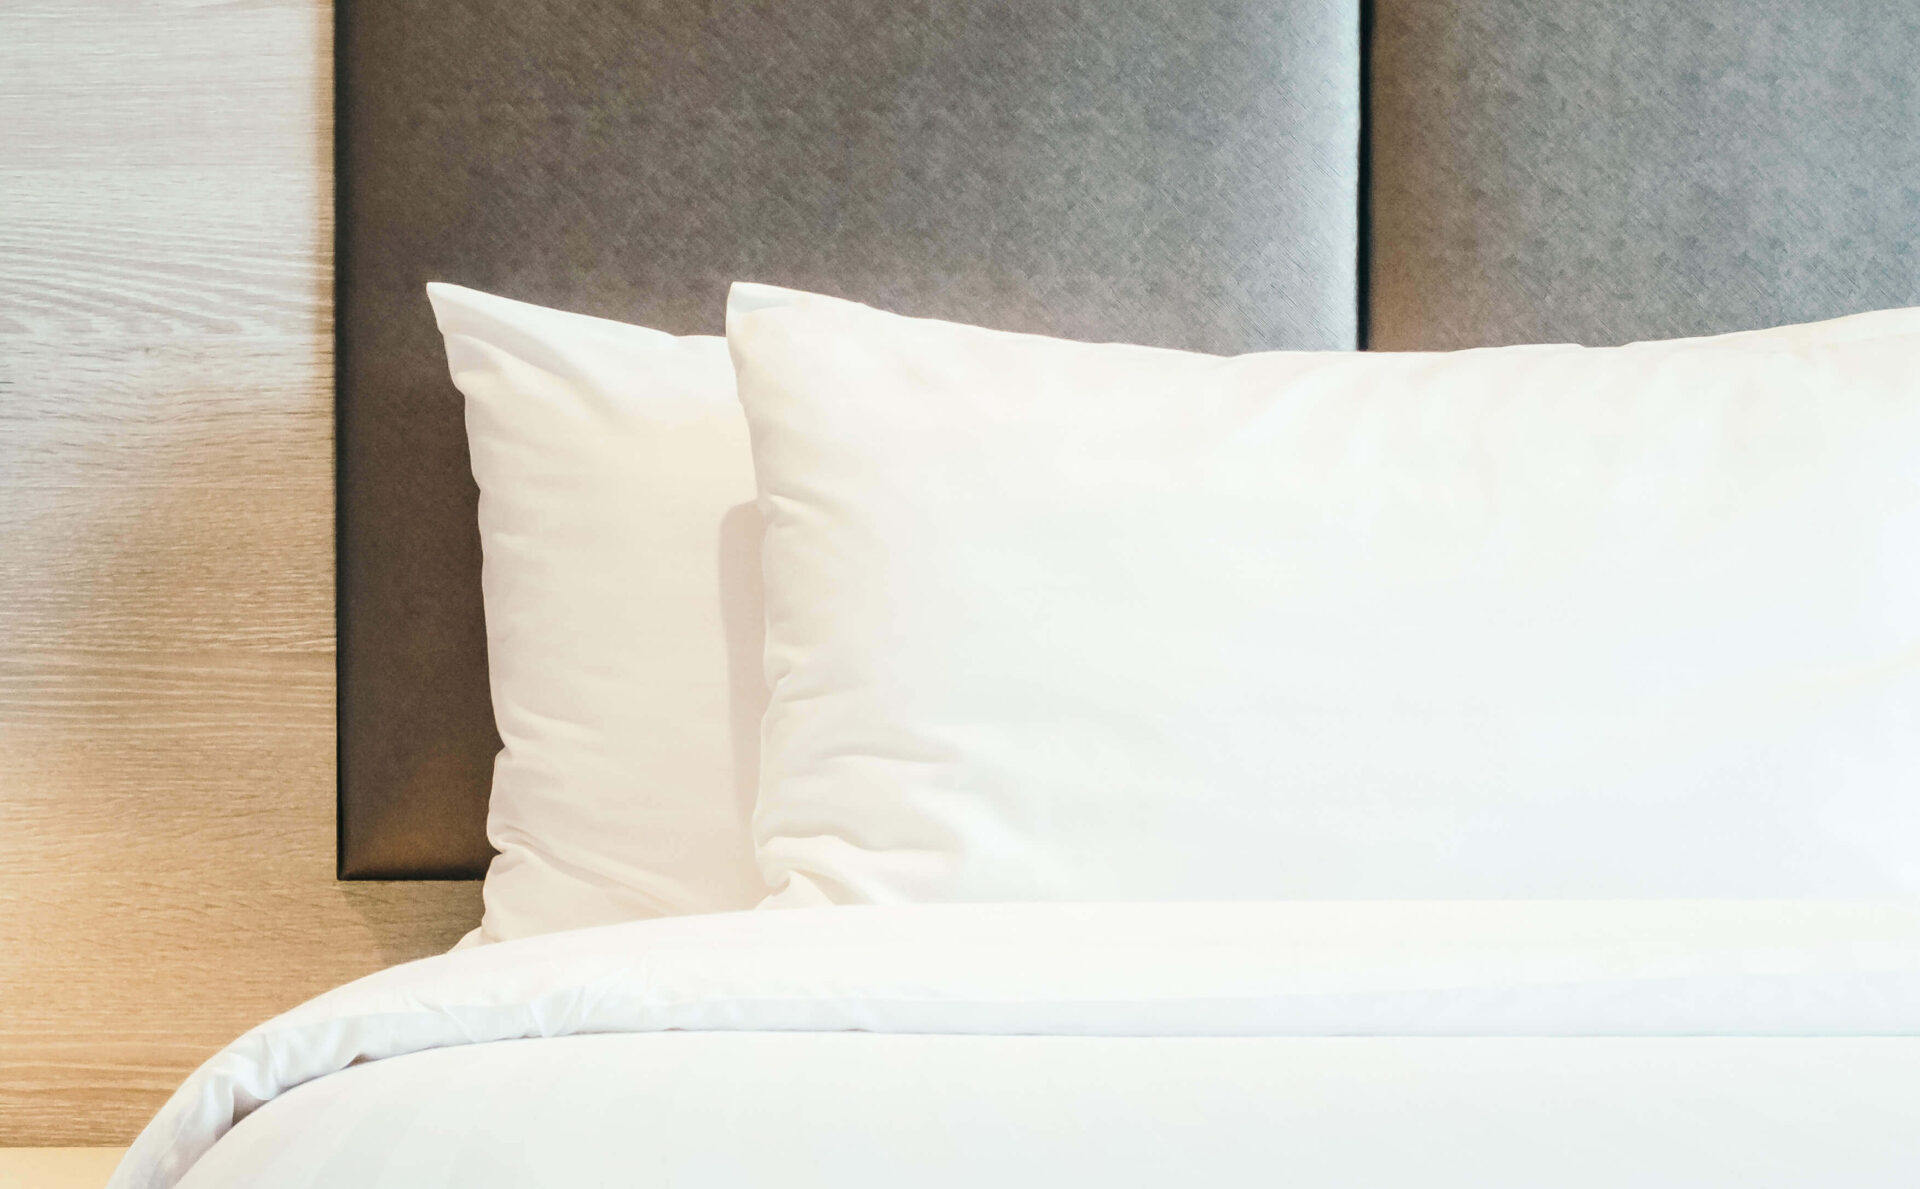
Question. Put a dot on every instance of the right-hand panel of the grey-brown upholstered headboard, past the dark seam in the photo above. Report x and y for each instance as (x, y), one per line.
(1577, 172)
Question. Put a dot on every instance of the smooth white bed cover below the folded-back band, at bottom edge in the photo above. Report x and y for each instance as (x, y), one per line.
(863, 1111)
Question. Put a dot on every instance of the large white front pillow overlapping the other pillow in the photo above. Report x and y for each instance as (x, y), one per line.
(1065, 621)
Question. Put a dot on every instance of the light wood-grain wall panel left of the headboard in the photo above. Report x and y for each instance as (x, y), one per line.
(166, 556)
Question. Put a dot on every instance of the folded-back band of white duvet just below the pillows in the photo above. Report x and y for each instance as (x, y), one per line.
(1547, 969)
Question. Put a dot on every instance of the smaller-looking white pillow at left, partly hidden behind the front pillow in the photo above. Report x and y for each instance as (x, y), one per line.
(623, 612)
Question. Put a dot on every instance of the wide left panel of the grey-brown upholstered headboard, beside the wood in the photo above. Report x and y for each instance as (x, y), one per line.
(1172, 174)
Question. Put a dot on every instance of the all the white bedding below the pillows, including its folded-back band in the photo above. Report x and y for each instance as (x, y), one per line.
(1020, 983)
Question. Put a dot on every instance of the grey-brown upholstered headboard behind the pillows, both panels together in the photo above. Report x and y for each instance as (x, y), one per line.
(1216, 174)
